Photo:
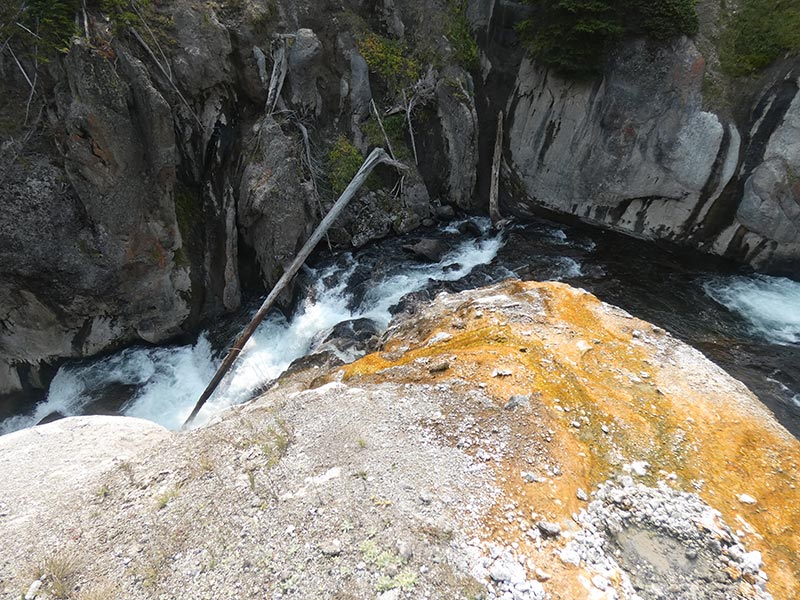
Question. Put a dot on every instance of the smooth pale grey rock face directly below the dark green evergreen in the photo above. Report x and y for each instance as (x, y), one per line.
(633, 151)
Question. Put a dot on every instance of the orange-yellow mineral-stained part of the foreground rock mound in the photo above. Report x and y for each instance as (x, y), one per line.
(606, 390)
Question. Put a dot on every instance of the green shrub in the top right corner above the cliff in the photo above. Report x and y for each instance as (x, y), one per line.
(758, 34)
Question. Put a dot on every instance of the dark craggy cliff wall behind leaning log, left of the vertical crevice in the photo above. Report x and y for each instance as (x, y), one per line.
(129, 229)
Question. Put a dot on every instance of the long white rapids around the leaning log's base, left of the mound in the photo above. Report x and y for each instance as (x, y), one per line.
(171, 379)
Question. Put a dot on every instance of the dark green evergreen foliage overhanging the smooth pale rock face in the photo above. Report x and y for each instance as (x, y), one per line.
(572, 36)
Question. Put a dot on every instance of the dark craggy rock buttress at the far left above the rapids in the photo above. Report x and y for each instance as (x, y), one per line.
(103, 266)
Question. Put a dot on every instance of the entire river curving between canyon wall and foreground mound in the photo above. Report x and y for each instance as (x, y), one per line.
(749, 324)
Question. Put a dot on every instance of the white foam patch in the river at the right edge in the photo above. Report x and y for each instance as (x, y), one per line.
(770, 305)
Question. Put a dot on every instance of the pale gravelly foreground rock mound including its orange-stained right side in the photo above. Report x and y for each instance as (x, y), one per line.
(519, 441)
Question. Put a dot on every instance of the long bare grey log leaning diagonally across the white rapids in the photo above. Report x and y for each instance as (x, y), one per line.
(378, 156)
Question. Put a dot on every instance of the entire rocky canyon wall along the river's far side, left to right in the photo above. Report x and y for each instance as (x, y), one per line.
(161, 173)
